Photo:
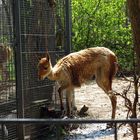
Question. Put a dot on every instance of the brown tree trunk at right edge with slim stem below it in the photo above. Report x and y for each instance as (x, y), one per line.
(134, 10)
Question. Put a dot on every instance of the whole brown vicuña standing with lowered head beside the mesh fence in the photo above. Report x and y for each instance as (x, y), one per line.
(76, 68)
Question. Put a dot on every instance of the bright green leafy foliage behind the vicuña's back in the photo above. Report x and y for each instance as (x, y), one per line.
(103, 23)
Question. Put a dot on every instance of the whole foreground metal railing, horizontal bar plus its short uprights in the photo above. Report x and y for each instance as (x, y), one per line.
(59, 122)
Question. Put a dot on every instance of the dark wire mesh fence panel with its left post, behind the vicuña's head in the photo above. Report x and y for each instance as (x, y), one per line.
(39, 25)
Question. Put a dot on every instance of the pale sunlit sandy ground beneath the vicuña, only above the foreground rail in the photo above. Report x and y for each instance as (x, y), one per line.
(97, 100)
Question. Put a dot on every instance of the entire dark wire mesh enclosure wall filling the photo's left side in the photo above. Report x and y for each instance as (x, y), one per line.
(27, 30)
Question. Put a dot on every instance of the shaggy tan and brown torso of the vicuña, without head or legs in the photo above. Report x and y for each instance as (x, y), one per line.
(83, 65)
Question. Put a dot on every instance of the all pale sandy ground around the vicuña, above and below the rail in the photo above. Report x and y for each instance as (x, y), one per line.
(100, 108)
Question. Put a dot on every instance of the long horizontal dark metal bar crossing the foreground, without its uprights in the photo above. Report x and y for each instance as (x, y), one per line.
(63, 121)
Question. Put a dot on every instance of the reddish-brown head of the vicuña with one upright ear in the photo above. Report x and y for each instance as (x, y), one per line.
(44, 67)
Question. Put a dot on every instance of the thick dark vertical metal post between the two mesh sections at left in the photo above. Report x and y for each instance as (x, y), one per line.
(19, 67)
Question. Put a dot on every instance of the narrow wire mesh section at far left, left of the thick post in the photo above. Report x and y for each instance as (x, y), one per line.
(8, 106)
